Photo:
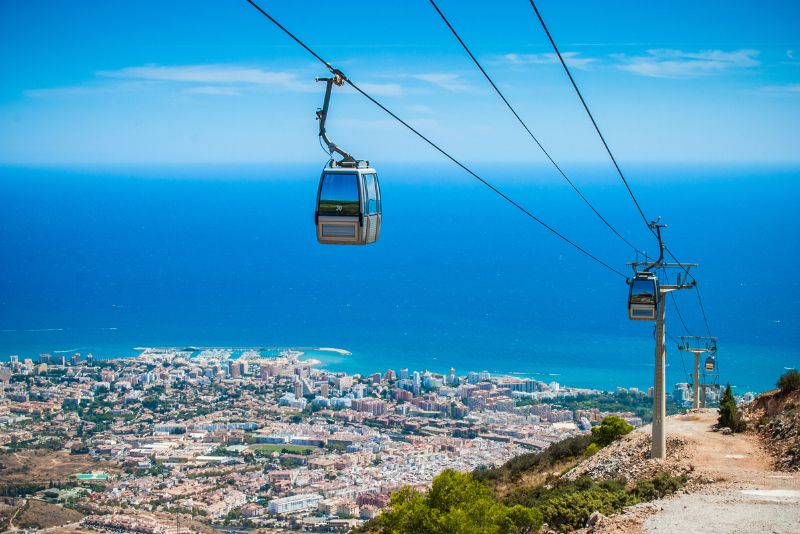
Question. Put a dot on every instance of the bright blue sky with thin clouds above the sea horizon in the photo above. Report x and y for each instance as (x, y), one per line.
(214, 82)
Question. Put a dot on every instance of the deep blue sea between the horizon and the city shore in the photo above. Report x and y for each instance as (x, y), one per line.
(102, 260)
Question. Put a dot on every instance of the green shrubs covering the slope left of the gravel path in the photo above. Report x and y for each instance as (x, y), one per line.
(499, 500)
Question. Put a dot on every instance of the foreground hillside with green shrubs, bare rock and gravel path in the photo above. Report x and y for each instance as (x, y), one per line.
(711, 481)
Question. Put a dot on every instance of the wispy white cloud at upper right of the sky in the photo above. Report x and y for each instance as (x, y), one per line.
(667, 63)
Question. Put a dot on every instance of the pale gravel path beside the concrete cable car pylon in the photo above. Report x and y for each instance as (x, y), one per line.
(733, 488)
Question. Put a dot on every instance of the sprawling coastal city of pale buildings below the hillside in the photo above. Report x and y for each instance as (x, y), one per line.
(223, 436)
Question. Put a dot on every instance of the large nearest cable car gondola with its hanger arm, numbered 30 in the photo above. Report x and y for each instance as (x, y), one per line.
(348, 197)
